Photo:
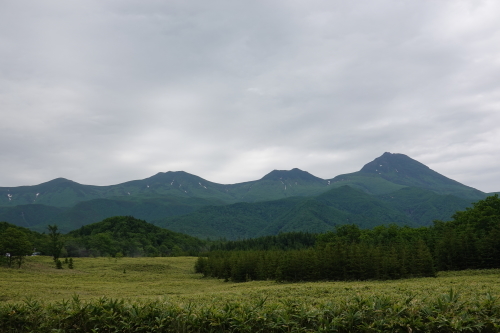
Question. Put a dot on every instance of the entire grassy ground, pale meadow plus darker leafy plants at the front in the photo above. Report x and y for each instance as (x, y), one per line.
(164, 295)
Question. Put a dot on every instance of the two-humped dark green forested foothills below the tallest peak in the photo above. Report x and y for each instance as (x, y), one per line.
(344, 205)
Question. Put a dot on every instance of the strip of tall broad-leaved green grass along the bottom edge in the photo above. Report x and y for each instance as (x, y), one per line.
(444, 313)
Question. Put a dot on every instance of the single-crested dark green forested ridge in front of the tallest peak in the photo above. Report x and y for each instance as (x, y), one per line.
(315, 214)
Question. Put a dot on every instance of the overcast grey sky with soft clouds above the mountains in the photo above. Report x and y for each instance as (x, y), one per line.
(106, 91)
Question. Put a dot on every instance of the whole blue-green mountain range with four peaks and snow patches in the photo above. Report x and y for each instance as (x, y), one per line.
(393, 188)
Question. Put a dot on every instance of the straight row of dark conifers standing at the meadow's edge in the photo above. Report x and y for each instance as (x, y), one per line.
(326, 261)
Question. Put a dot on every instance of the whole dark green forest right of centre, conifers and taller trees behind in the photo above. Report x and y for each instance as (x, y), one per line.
(470, 241)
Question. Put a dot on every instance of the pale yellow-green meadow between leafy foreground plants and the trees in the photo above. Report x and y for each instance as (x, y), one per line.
(173, 278)
